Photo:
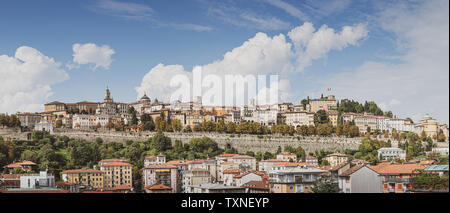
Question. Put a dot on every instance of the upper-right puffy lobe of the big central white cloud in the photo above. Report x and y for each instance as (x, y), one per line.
(312, 45)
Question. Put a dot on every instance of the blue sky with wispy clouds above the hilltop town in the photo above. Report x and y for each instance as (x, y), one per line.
(143, 34)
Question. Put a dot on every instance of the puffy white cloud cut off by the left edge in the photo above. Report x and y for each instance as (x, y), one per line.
(27, 79)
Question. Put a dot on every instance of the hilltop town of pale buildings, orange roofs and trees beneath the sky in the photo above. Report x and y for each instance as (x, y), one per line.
(393, 155)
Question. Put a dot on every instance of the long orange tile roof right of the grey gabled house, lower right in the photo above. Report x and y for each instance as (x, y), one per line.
(387, 168)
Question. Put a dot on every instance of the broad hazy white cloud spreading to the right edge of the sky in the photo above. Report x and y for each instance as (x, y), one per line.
(419, 83)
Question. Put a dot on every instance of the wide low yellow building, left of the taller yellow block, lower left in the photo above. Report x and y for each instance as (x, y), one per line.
(87, 177)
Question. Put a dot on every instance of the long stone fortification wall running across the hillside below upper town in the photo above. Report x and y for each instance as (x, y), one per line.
(242, 143)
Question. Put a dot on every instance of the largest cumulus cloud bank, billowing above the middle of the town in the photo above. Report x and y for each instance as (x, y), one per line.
(261, 55)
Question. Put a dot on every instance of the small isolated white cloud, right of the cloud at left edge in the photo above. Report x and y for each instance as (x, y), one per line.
(90, 53)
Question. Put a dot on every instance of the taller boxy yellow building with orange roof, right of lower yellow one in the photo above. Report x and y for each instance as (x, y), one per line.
(117, 174)
